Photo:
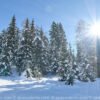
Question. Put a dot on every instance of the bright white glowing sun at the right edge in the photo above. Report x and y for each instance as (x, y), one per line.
(95, 29)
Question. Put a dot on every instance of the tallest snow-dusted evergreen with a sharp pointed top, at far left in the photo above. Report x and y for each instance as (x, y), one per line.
(10, 46)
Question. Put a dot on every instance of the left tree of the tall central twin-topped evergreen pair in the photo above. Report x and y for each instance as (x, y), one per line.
(55, 45)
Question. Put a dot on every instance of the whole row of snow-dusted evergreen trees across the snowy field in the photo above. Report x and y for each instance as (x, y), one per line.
(30, 51)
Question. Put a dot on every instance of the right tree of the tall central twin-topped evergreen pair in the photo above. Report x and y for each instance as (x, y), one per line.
(63, 58)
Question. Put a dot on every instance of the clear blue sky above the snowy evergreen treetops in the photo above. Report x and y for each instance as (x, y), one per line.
(68, 12)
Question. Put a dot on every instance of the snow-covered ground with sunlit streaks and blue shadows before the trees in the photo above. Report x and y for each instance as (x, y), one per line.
(48, 88)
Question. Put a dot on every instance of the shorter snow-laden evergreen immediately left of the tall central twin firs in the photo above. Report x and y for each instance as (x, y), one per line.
(40, 58)
